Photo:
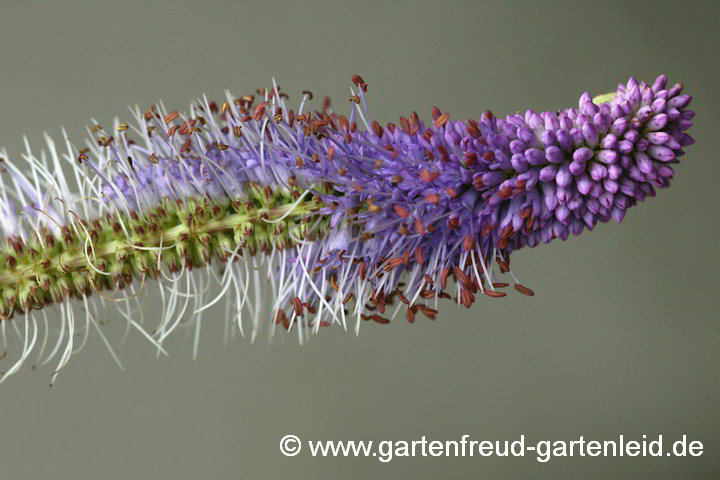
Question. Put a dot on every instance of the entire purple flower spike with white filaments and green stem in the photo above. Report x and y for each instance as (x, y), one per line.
(304, 219)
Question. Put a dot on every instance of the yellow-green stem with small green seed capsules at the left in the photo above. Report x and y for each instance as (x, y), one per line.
(38, 271)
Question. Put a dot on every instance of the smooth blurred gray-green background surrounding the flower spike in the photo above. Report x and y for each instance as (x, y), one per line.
(621, 338)
